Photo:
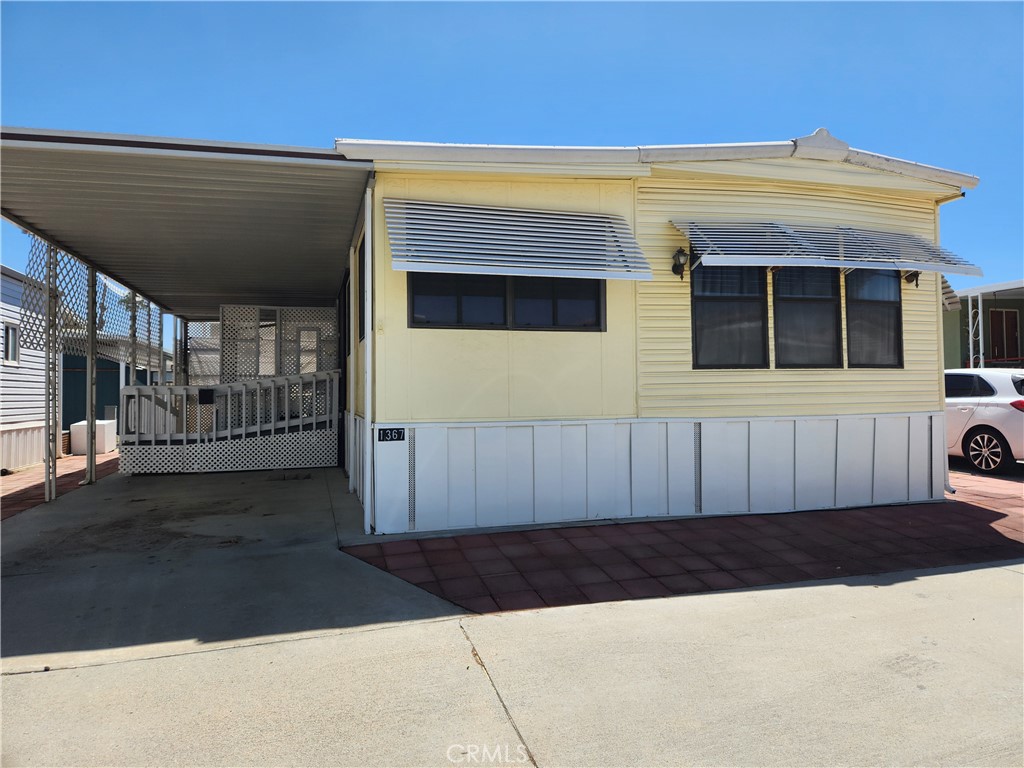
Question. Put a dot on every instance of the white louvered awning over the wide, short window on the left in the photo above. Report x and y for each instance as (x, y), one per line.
(483, 240)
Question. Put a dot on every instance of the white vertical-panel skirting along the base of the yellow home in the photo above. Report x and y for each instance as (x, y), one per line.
(447, 477)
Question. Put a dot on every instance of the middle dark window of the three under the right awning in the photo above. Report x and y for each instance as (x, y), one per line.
(808, 331)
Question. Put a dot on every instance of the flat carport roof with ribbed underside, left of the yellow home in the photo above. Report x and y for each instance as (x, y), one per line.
(190, 225)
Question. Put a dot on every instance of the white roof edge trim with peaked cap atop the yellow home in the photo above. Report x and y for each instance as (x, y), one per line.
(819, 146)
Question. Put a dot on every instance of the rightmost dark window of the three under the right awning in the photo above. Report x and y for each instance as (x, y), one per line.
(874, 319)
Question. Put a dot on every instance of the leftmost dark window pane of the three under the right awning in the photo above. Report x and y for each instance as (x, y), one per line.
(731, 317)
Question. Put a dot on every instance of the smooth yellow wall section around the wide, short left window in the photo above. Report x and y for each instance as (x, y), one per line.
(463, 375)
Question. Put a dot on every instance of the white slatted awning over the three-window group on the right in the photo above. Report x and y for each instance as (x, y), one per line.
(774, 244)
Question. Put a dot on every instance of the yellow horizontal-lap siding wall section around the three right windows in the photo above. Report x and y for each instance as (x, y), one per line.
(669, 387)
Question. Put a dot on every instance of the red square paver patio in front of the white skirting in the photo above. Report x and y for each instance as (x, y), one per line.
(508, 571)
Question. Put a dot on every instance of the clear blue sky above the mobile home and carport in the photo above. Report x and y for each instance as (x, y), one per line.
(938, 83)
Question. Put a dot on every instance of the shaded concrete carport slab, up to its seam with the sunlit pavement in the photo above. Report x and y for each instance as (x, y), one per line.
(153, 566)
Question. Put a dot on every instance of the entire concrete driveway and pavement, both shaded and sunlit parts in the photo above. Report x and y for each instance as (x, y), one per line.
(222, 627)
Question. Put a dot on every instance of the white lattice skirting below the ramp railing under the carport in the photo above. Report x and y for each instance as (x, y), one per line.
(296, 451)
